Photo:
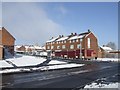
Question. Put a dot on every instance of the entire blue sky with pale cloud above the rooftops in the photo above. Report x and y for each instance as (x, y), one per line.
(32, 23)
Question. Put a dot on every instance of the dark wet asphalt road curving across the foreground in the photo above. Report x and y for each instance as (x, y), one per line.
(66, 78)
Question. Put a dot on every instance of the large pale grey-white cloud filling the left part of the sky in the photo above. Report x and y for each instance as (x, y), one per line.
(29, 23)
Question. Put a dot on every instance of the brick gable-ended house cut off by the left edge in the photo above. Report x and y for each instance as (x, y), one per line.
(6, 44)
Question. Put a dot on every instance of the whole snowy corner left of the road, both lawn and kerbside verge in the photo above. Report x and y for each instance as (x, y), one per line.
(19, 61)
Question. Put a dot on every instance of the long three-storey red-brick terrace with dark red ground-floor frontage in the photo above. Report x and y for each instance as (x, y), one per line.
(83, 45)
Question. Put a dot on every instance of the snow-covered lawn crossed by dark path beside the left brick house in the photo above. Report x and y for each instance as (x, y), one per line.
(21, 61)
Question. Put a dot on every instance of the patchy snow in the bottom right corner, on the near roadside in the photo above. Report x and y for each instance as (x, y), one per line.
(110, 85)
